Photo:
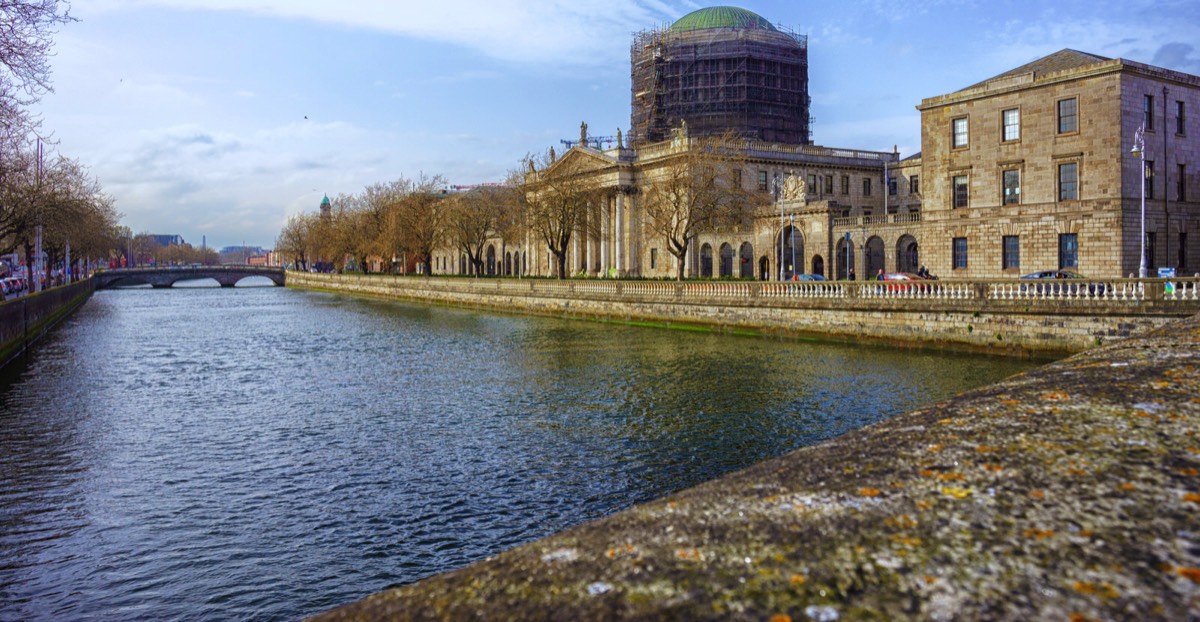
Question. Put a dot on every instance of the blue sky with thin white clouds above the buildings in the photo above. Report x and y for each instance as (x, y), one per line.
(220, 119)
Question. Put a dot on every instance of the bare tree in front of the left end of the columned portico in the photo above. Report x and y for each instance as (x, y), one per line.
(556, 196)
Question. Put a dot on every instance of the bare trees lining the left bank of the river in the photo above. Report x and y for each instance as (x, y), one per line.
(55, 196)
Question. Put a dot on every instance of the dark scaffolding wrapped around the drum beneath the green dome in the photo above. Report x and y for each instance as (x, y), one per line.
(753, 81)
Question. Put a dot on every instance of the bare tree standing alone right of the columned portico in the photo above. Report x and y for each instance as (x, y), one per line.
(697, 189)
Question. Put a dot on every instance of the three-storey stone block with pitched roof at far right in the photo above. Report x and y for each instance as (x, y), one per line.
(1046, 148)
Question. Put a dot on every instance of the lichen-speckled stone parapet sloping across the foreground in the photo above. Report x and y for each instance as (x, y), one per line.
(1070, 493)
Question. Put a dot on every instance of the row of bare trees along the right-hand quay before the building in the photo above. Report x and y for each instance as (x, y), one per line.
(698, 188)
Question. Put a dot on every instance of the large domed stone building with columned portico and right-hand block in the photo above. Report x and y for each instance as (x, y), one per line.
(1028, 171)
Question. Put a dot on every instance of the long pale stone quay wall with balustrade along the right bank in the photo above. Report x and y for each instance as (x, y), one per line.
(991, 316)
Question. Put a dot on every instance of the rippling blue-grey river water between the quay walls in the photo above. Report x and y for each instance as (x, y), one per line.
(262, 453)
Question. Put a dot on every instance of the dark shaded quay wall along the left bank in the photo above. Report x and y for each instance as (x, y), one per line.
(26, 320)
